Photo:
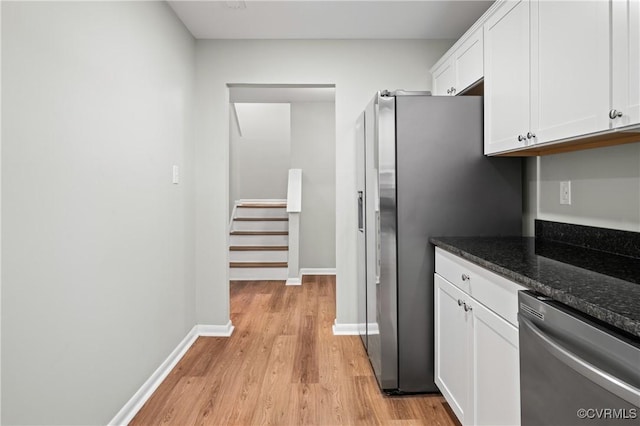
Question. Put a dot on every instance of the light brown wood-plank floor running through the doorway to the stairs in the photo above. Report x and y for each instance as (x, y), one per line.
(283, 366)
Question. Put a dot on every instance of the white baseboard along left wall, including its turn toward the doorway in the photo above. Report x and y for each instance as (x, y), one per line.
(131, 408)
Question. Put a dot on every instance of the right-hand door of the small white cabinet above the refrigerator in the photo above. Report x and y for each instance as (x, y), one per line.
(469, 62)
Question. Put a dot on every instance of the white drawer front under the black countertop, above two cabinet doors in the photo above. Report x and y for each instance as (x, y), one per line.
(495, 292)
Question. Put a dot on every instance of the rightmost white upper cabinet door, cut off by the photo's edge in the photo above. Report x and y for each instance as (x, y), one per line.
(625, 56)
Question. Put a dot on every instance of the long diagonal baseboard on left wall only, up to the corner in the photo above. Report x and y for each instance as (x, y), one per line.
(131, 408)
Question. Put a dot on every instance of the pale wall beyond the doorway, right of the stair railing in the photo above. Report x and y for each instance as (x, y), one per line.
(313, 148)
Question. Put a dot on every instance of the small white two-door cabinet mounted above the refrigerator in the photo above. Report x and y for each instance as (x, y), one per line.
(461, 68)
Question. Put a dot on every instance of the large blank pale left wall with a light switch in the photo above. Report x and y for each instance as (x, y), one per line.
(98, 245)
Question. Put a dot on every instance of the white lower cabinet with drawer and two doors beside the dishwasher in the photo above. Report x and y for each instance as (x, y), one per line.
(476, 348)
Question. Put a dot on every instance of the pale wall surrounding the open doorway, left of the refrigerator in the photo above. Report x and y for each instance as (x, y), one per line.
(357, 68)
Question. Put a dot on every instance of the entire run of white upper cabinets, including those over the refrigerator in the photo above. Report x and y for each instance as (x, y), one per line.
(559, 75)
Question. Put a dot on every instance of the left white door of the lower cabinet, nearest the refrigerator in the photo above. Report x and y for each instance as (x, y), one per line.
(452, 347)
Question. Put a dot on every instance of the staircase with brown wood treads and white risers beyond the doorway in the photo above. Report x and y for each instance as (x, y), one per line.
(259, 241)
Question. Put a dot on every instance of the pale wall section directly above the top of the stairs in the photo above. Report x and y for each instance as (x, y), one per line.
(260, 157)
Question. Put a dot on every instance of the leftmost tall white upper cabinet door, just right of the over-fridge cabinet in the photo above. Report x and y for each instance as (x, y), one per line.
(506, 82)
